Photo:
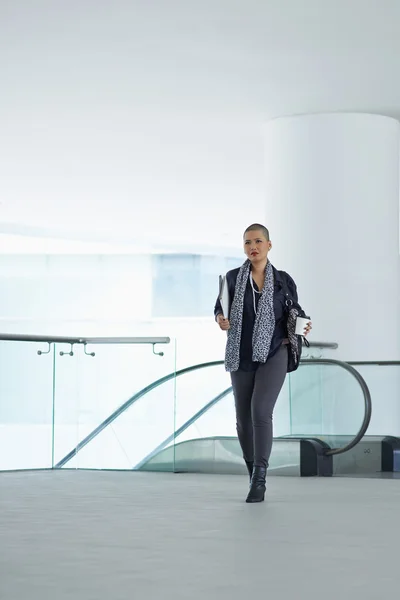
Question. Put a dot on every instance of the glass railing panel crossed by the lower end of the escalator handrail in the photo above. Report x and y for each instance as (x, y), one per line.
(91, 388)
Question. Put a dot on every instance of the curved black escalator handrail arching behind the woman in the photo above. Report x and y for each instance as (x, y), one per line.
(321, 361)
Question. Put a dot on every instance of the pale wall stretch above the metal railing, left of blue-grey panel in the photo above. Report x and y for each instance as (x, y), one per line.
(55, 289)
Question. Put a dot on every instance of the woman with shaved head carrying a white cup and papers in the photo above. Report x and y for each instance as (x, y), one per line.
(259, 346)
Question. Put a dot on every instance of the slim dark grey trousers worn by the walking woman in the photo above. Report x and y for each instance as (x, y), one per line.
(256, 393)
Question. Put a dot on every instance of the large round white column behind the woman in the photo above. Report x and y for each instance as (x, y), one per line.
(332, 203)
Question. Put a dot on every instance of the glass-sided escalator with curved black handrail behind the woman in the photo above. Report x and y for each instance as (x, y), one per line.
(204, 442)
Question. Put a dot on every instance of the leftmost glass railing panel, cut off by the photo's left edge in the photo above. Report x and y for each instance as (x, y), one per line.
(26, 405)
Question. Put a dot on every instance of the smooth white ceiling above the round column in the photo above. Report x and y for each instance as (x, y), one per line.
(141, 120)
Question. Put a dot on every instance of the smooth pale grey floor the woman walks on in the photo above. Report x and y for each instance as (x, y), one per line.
(144, 536)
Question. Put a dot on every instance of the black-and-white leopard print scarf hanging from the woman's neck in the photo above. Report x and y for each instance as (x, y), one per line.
(264, 325)
